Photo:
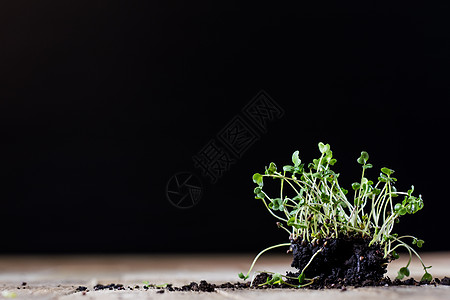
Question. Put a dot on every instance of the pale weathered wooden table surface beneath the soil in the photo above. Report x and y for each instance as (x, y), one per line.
(56, 277)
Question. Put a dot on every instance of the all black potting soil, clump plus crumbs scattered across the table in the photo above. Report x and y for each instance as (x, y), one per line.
(347, 261)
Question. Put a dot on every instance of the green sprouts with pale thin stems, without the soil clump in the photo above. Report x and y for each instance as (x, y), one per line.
(312, 205)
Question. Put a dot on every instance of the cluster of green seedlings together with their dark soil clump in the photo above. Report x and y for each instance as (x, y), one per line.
(337, 237)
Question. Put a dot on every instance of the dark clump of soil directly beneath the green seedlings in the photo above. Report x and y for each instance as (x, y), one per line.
(342, 261)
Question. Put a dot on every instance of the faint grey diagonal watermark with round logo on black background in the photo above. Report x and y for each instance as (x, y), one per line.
(215, 158)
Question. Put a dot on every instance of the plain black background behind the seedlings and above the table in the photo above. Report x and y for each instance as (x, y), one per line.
(103, 101)
